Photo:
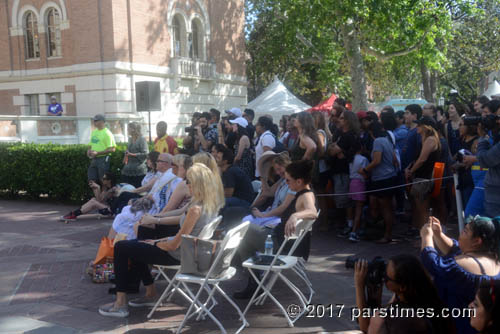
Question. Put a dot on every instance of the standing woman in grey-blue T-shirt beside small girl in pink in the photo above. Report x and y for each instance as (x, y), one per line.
(382, 170)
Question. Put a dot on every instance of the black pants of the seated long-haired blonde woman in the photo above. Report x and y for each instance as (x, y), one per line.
(140, 255)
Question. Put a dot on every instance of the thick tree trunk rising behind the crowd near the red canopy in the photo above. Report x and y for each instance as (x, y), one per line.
(358, 78)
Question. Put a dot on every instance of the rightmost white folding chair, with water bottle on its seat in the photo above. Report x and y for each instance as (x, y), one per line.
(274, 270)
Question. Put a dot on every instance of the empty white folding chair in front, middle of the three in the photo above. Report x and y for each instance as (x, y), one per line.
(227, 250)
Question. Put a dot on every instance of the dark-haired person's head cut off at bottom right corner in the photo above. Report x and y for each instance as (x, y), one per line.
(486, 308)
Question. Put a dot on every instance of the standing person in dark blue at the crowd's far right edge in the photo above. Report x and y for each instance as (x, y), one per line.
(488, 156)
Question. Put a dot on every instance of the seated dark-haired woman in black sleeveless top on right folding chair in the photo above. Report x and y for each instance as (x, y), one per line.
(298, 177)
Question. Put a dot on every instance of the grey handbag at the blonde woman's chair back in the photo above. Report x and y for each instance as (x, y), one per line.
(198, 256)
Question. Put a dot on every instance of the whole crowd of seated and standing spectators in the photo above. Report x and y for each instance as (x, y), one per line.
(359, 168)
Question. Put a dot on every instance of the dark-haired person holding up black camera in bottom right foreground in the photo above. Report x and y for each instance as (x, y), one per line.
(412, 288)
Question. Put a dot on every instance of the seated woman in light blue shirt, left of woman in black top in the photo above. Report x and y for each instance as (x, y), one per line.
(279, 191)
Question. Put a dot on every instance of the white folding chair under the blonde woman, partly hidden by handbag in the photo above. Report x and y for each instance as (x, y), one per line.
(206, 233)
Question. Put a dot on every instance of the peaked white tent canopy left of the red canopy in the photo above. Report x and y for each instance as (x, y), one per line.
(277, 100)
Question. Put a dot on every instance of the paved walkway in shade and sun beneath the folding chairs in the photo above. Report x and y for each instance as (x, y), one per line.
(43, 287)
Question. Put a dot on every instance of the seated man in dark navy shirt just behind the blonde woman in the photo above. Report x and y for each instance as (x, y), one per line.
(238, 188)
